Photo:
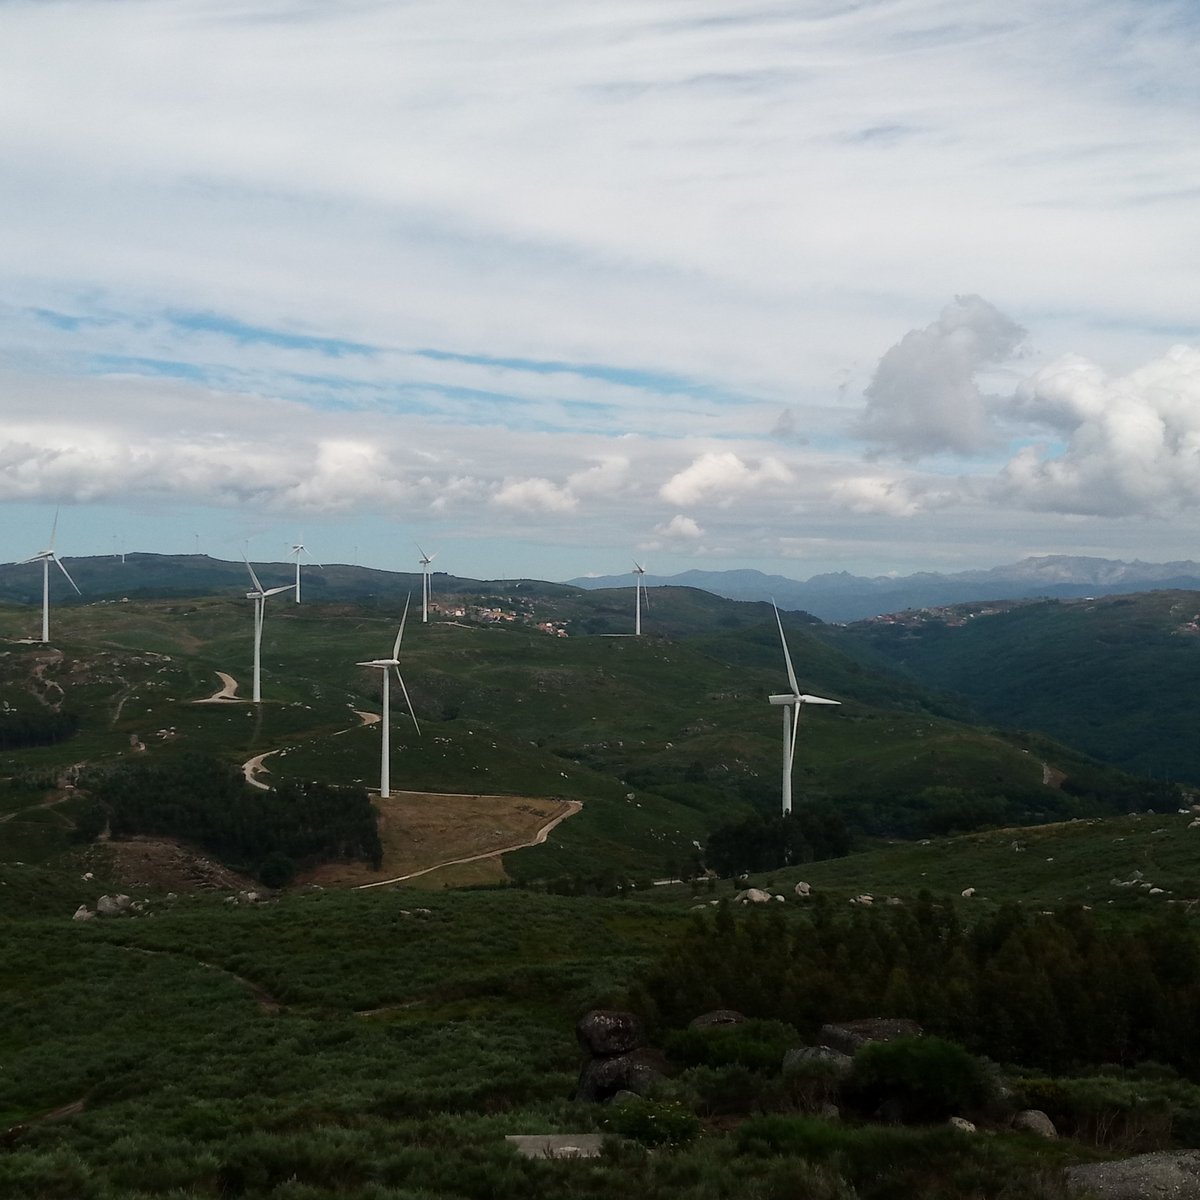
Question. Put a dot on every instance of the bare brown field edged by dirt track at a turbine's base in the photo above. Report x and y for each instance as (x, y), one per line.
(435, 833)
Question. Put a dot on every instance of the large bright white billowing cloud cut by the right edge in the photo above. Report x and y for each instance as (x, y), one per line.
(1125, 446)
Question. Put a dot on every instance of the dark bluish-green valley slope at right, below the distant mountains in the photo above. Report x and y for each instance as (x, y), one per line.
(1115, 677)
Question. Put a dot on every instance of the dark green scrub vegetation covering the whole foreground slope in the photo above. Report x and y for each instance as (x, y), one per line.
(338, 1046)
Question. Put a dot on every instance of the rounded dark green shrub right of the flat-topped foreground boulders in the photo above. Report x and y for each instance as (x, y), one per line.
(926, 1079)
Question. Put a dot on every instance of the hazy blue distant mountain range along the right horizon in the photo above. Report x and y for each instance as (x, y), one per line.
(842, 597)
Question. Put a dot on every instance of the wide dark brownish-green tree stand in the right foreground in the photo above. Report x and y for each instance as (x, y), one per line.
(1054, 992)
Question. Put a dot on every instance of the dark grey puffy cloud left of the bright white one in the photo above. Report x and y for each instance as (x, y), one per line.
(925, 398)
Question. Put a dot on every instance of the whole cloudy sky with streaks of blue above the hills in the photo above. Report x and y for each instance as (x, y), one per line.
(877, 286)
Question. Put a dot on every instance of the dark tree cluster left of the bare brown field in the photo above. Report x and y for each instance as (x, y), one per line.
(207, 801)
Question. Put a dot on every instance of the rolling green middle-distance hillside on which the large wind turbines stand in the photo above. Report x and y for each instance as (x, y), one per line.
(662, 739)
